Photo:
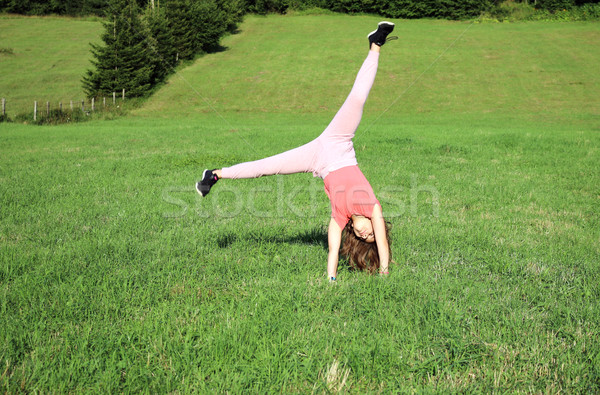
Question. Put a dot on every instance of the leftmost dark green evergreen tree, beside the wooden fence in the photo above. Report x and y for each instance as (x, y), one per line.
(124, 61)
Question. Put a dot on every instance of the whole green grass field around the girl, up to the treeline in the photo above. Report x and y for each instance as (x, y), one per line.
(116, 277)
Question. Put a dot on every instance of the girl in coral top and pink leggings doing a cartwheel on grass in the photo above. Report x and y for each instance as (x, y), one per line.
(355, 211)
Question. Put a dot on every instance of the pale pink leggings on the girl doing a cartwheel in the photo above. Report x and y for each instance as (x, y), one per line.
(332, 150)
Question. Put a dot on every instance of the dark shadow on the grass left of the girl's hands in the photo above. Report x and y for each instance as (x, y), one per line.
(312, 237)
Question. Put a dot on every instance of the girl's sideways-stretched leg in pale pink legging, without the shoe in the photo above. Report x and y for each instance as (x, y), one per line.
(297, 160)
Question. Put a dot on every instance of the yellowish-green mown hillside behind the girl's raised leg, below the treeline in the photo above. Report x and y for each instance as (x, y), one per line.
(306, 64)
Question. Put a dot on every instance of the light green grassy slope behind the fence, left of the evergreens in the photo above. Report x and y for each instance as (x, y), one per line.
(44, 59)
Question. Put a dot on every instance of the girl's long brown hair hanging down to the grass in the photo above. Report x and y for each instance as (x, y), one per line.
(362, 255)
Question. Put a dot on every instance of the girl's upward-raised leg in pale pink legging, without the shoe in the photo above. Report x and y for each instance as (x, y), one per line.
(346, 121)
